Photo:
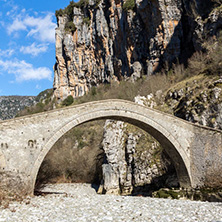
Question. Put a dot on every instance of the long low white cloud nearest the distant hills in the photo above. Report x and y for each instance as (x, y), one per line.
(24, 71)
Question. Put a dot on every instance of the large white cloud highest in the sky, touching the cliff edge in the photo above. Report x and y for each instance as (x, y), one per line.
(41, 28)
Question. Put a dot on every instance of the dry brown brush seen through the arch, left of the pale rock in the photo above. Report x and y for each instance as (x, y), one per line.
(76, 157)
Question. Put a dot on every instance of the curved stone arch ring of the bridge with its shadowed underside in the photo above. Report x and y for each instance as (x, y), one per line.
(171, 145)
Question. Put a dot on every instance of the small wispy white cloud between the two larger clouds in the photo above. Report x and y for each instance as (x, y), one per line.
(34, 49)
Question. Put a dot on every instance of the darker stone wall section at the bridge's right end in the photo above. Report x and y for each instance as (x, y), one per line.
(206, 159)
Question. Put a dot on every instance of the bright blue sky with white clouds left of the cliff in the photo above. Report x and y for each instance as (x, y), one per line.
(27, 45)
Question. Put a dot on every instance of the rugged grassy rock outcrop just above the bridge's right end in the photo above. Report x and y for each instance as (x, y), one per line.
(198, 101)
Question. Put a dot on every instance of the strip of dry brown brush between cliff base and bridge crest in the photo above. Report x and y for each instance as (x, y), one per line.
(127, 90)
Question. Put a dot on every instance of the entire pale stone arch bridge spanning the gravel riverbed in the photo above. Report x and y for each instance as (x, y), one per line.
(196, 151)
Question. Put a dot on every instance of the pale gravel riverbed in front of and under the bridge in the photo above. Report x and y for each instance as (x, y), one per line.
(79, 202)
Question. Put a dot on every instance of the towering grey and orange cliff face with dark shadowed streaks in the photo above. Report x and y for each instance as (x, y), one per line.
(103, 41)
